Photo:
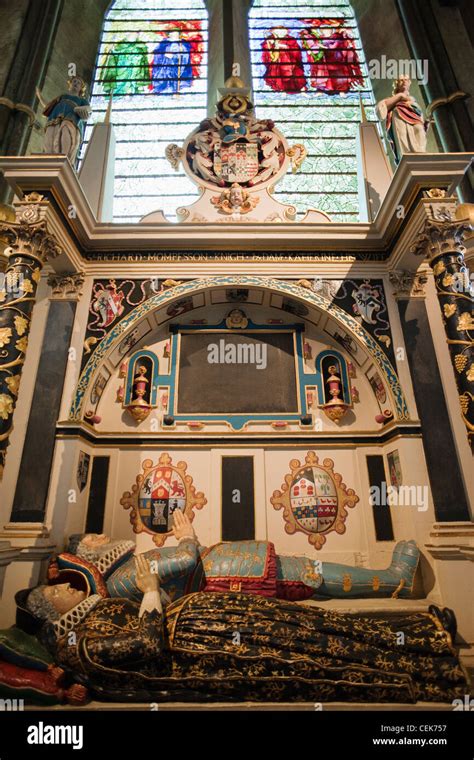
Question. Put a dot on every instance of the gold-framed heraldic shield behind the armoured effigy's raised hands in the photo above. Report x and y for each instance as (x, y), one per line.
(156, 493)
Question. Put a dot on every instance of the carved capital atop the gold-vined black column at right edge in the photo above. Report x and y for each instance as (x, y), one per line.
(441, 234)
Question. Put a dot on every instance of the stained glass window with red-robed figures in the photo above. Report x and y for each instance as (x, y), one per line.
(309, 73)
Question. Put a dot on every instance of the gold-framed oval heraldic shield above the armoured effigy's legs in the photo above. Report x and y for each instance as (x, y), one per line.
(314, 499)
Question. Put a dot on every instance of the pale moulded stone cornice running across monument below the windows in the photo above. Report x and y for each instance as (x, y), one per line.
(55, 178)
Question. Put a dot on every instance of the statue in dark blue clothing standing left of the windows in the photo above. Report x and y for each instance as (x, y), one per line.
(67, 115)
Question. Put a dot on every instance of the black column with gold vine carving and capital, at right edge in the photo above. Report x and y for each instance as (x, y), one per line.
(441, 241)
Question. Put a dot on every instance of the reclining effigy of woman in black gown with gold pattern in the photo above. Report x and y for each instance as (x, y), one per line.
(239, 647)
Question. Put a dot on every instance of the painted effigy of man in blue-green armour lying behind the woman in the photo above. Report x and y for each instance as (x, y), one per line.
(247, 566)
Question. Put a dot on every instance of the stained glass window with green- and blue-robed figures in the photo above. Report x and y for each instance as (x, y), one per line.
(152, 59)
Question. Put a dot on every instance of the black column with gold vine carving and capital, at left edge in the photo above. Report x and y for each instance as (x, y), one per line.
(29, 246)
